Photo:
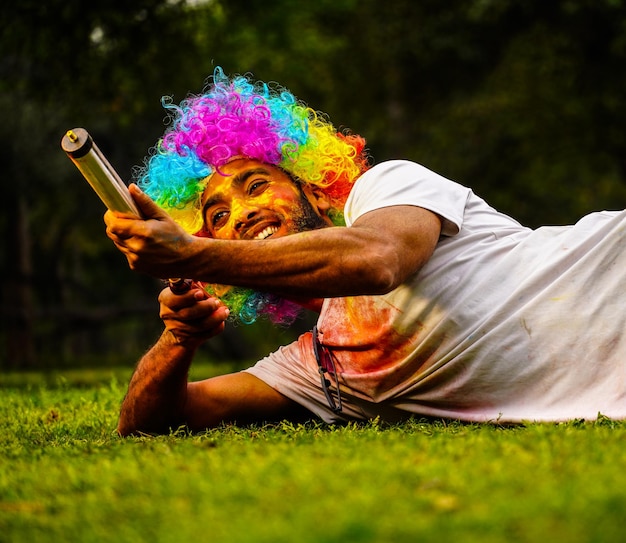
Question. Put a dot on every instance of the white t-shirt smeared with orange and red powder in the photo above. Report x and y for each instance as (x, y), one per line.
(503, 323)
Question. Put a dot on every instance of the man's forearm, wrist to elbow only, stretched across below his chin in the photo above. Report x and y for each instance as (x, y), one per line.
(322, 263)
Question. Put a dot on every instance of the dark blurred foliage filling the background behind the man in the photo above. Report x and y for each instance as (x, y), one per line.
(521, 100)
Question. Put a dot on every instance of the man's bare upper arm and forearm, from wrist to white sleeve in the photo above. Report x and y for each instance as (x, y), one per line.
(364, 259)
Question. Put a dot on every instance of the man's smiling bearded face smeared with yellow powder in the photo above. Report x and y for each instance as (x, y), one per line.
(251, 200)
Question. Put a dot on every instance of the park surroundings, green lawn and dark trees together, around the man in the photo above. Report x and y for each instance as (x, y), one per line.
(521, 100)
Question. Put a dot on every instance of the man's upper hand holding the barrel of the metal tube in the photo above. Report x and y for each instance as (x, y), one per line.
(154, 244)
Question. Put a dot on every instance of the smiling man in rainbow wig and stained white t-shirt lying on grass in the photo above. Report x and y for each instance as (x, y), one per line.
(431, 302)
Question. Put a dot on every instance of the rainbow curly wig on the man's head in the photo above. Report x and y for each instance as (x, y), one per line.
(237, 117)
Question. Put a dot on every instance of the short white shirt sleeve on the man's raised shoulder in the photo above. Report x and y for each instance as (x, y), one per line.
(401, 182)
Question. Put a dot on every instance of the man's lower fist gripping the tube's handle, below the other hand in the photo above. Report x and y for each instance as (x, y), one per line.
(193, 317)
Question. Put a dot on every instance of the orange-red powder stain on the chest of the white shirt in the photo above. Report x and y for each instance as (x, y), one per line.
(379, 343)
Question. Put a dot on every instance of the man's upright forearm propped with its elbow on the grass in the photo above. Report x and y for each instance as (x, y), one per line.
(157, 391)
